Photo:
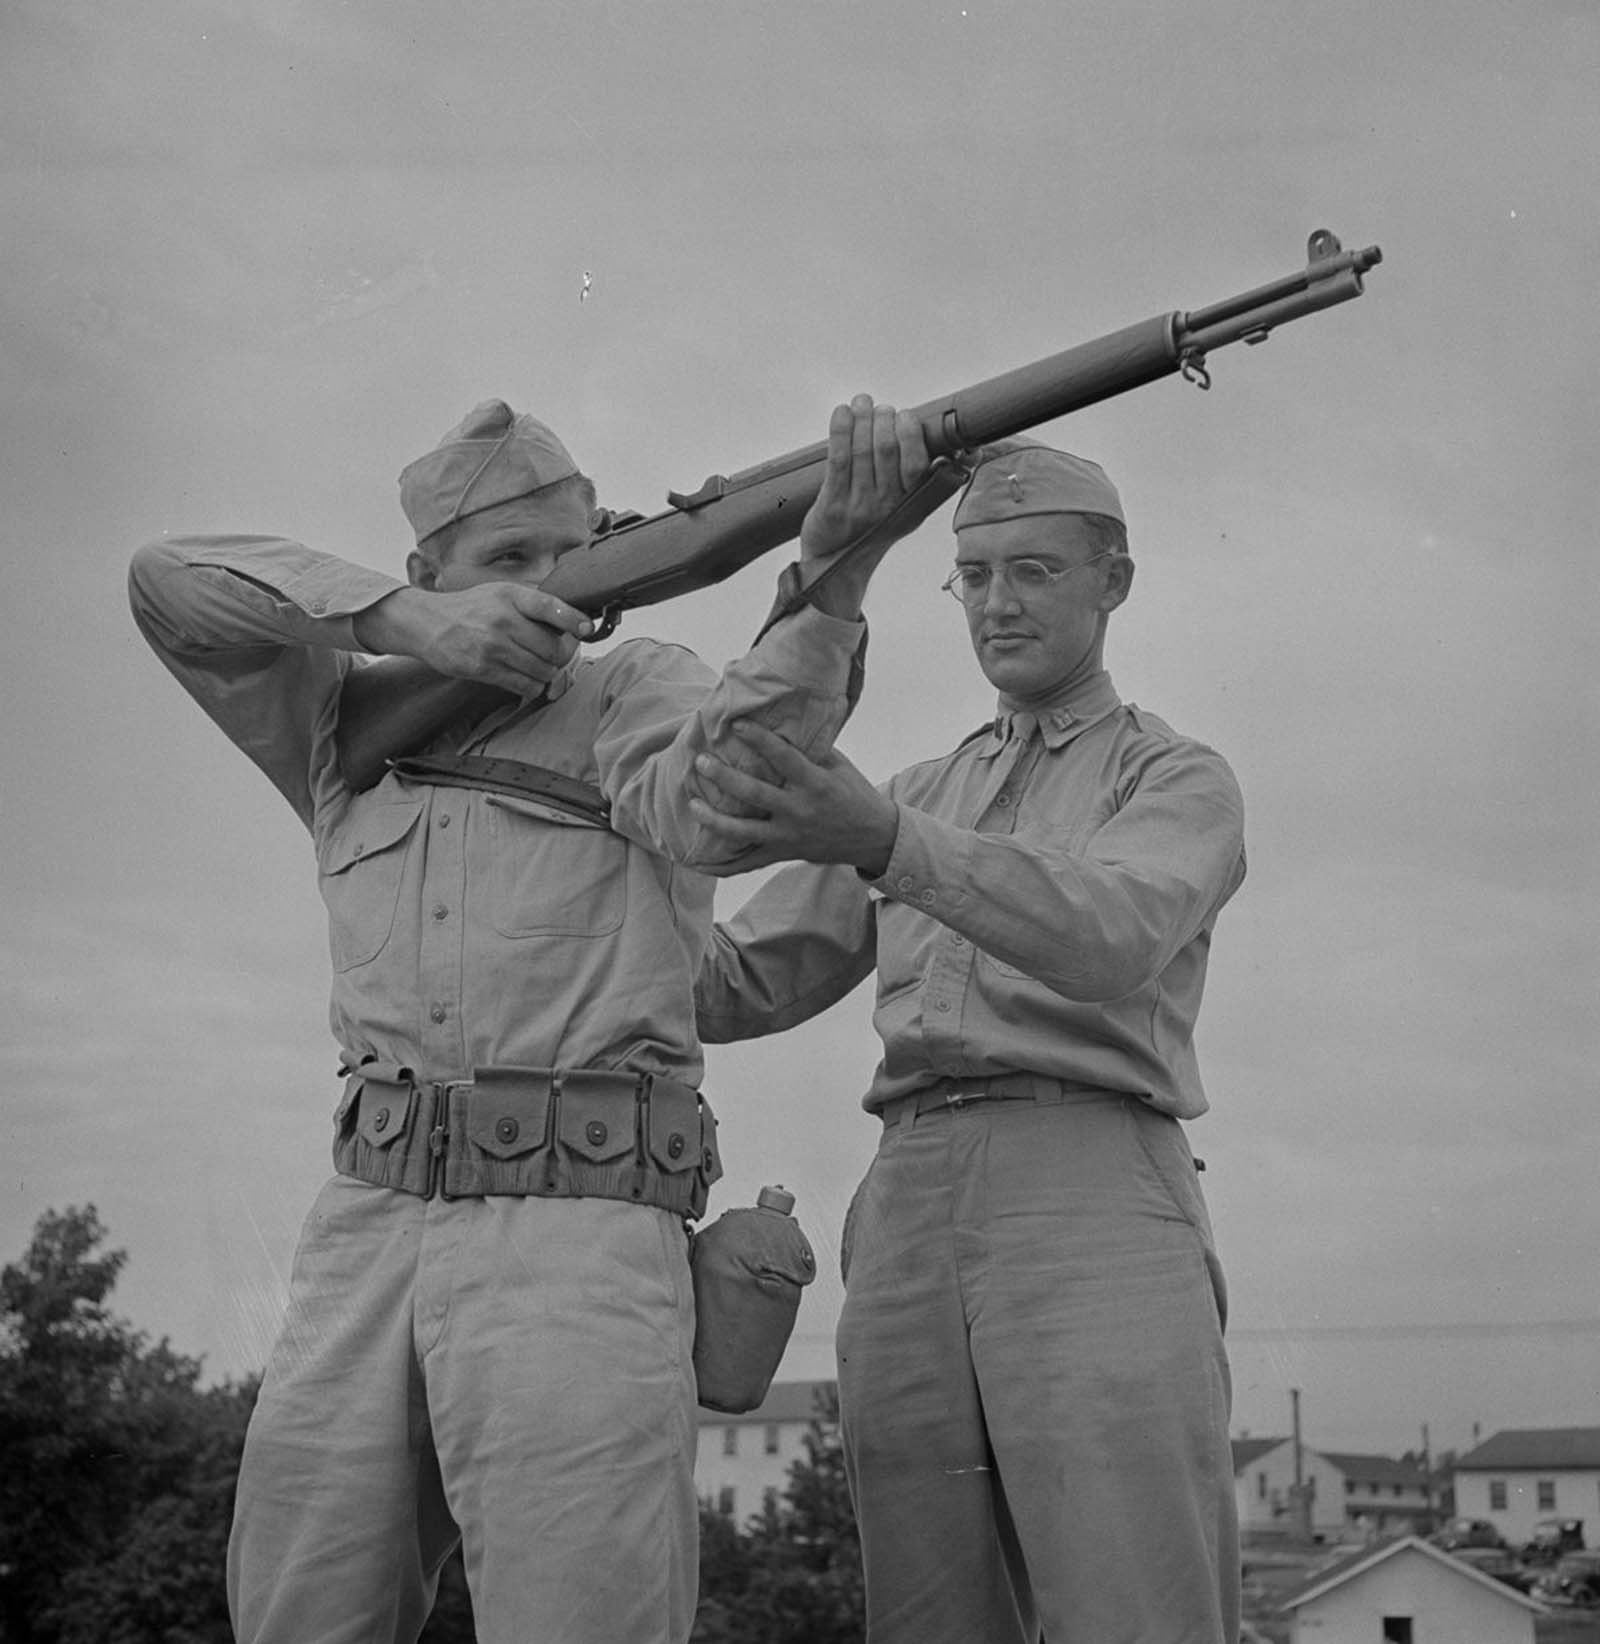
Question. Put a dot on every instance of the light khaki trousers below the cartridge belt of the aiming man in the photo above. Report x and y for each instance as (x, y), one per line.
(516, 1374)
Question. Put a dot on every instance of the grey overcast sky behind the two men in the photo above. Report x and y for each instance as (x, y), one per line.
(259, 254)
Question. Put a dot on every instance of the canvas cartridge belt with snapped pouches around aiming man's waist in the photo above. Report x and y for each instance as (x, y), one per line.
(555, 1134)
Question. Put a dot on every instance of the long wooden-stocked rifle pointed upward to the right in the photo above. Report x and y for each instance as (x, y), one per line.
(395, 706)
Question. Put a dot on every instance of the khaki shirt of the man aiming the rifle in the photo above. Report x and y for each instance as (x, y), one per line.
(471, 930)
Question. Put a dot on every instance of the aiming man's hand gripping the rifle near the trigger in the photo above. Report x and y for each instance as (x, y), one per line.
(501, 634)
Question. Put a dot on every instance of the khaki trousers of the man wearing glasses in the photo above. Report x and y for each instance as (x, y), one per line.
(1034, 1387)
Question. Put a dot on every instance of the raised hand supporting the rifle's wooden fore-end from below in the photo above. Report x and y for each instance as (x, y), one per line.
(881, 481)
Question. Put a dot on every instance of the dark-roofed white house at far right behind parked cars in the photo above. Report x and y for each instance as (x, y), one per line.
(1528, 1474)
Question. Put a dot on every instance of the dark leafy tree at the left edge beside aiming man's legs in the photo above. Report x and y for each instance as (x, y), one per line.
(118, 1487)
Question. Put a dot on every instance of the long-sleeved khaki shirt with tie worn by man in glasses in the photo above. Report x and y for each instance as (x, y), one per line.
(1048, 910)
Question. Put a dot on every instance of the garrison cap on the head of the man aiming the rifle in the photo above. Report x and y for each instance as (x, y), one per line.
(489, 458)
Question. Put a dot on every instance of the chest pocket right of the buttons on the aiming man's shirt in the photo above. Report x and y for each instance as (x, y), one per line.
(553, 875)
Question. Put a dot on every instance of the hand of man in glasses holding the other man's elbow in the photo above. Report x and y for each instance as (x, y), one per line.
(815, 810)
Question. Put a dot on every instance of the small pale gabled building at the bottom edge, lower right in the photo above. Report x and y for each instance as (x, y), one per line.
(1408, 1592)
